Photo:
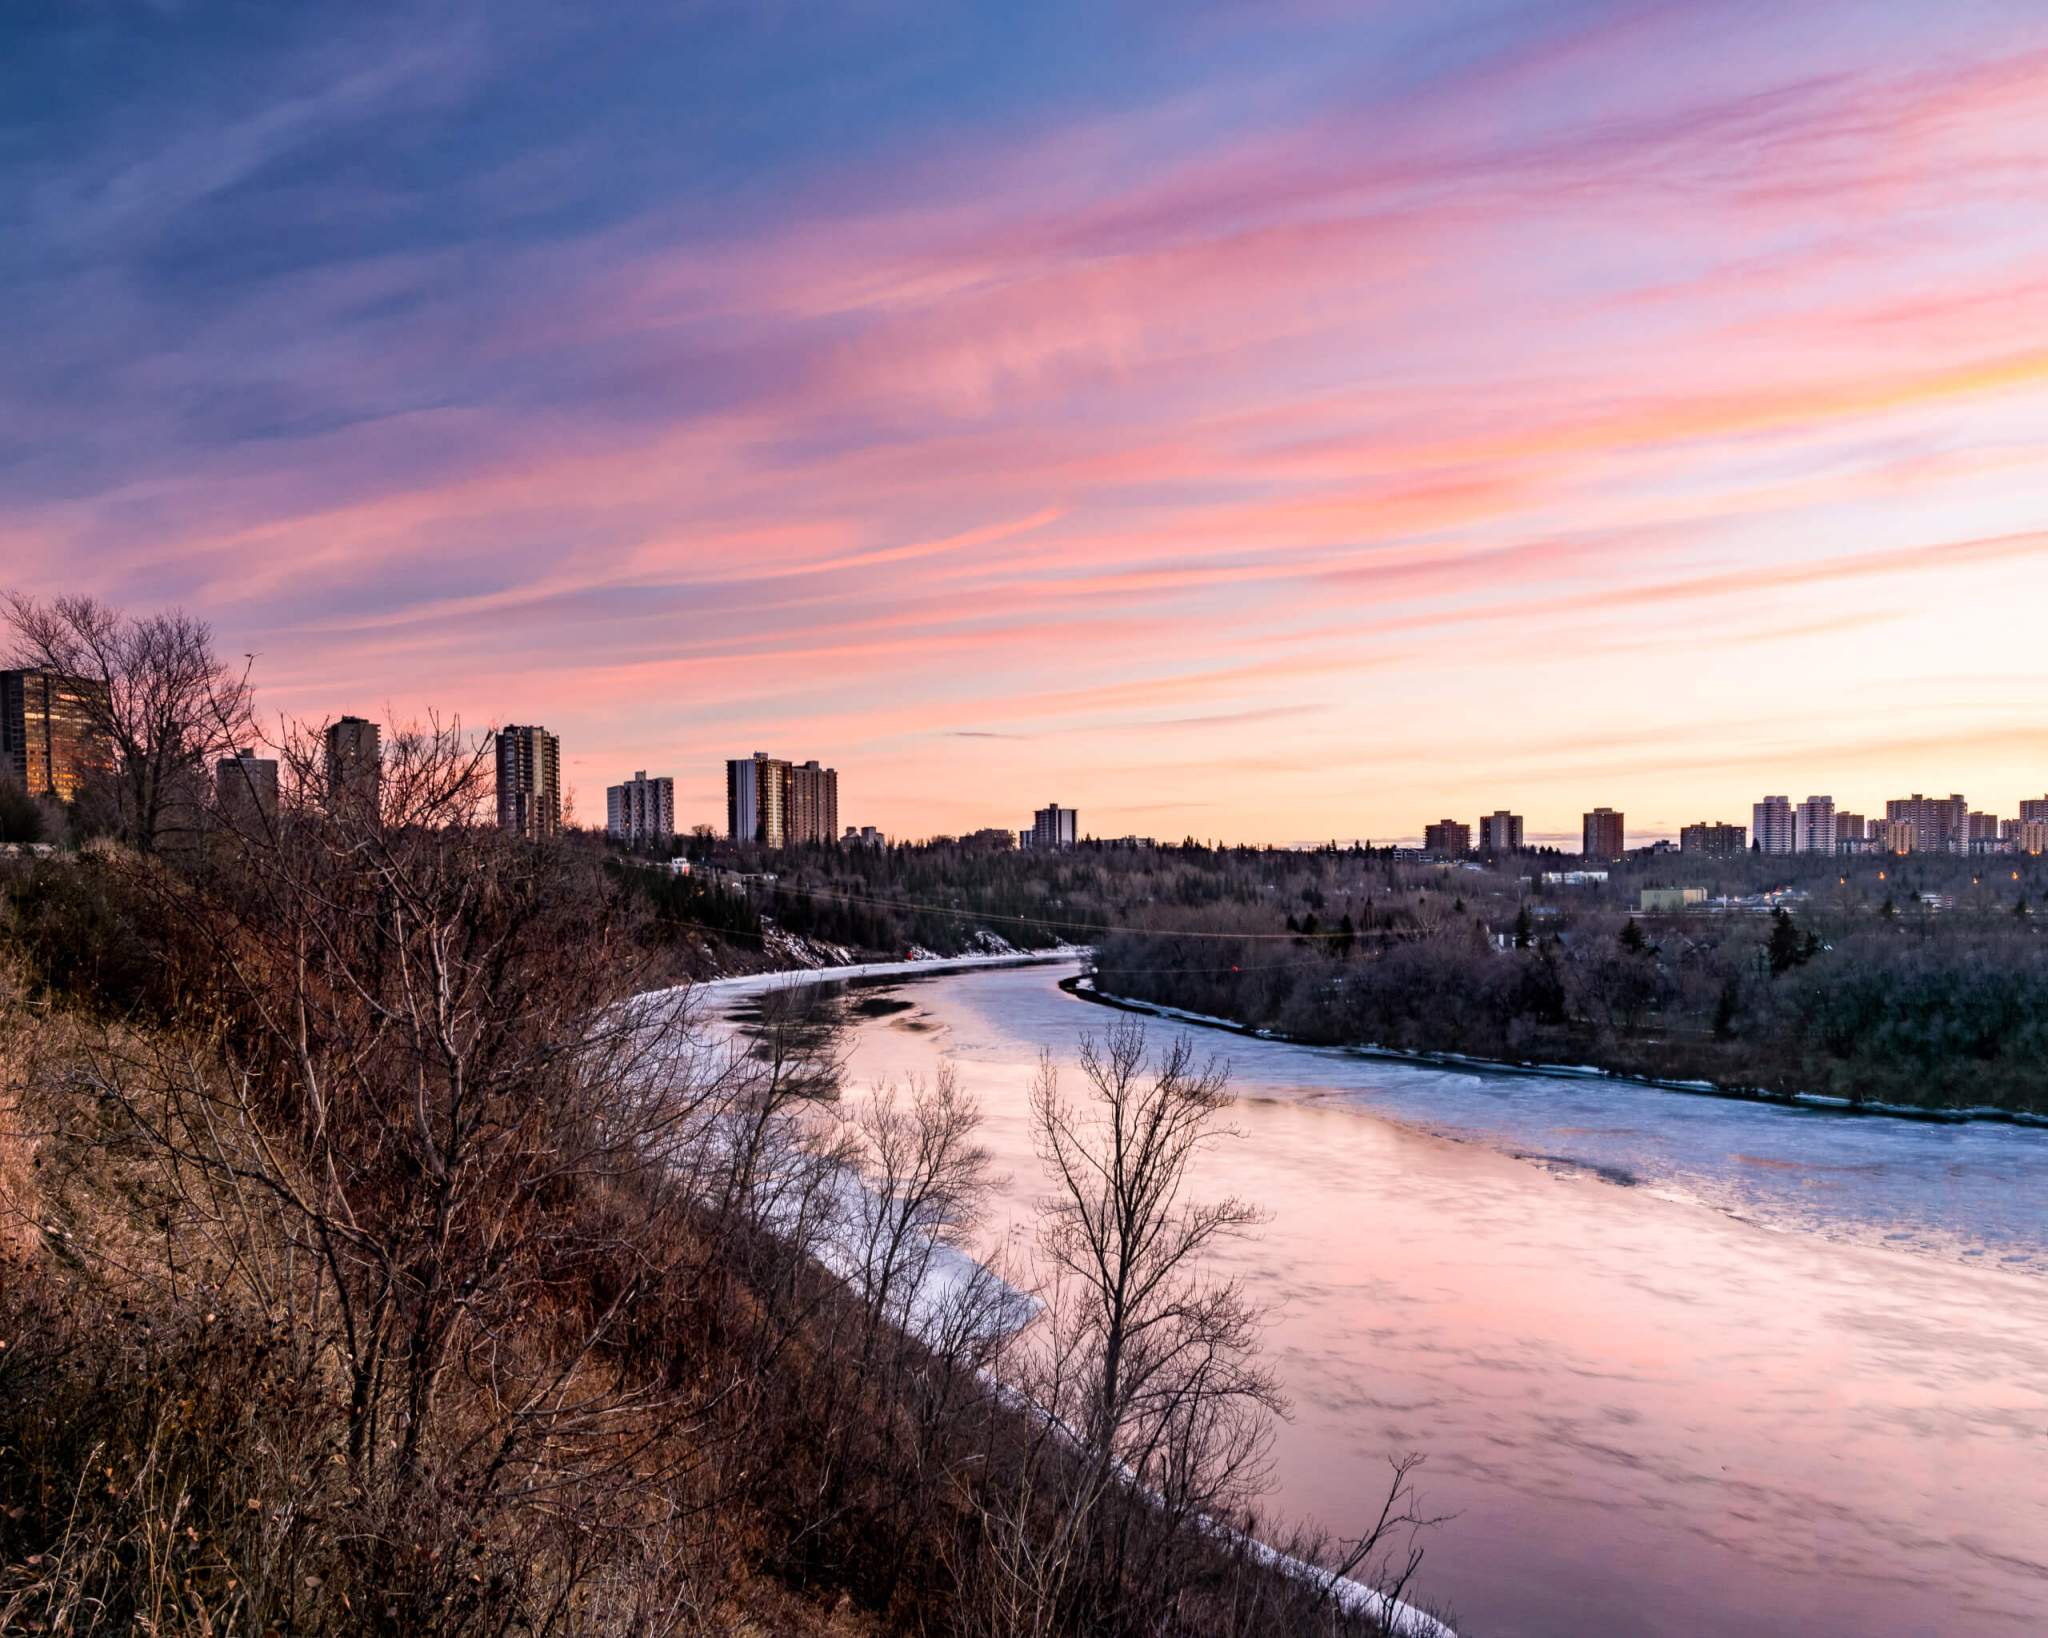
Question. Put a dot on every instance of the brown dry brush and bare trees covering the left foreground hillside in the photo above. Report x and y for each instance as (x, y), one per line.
(378, 1262)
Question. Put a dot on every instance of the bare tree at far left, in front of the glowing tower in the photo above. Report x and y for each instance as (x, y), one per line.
(159, 699)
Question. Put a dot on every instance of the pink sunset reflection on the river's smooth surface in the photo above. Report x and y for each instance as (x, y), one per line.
(1650, 1418)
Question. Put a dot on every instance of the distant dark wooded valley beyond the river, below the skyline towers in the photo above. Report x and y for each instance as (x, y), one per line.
(1916, 980)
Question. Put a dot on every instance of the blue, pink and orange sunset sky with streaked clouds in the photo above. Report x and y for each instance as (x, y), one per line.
(1269, 423)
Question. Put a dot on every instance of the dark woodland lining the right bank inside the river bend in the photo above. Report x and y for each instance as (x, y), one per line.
(1934, 1010)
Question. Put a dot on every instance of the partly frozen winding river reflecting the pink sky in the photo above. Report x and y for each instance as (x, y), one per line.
(1680, 1367)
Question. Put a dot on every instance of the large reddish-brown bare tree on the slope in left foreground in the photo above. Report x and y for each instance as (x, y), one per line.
(437, 1154)
